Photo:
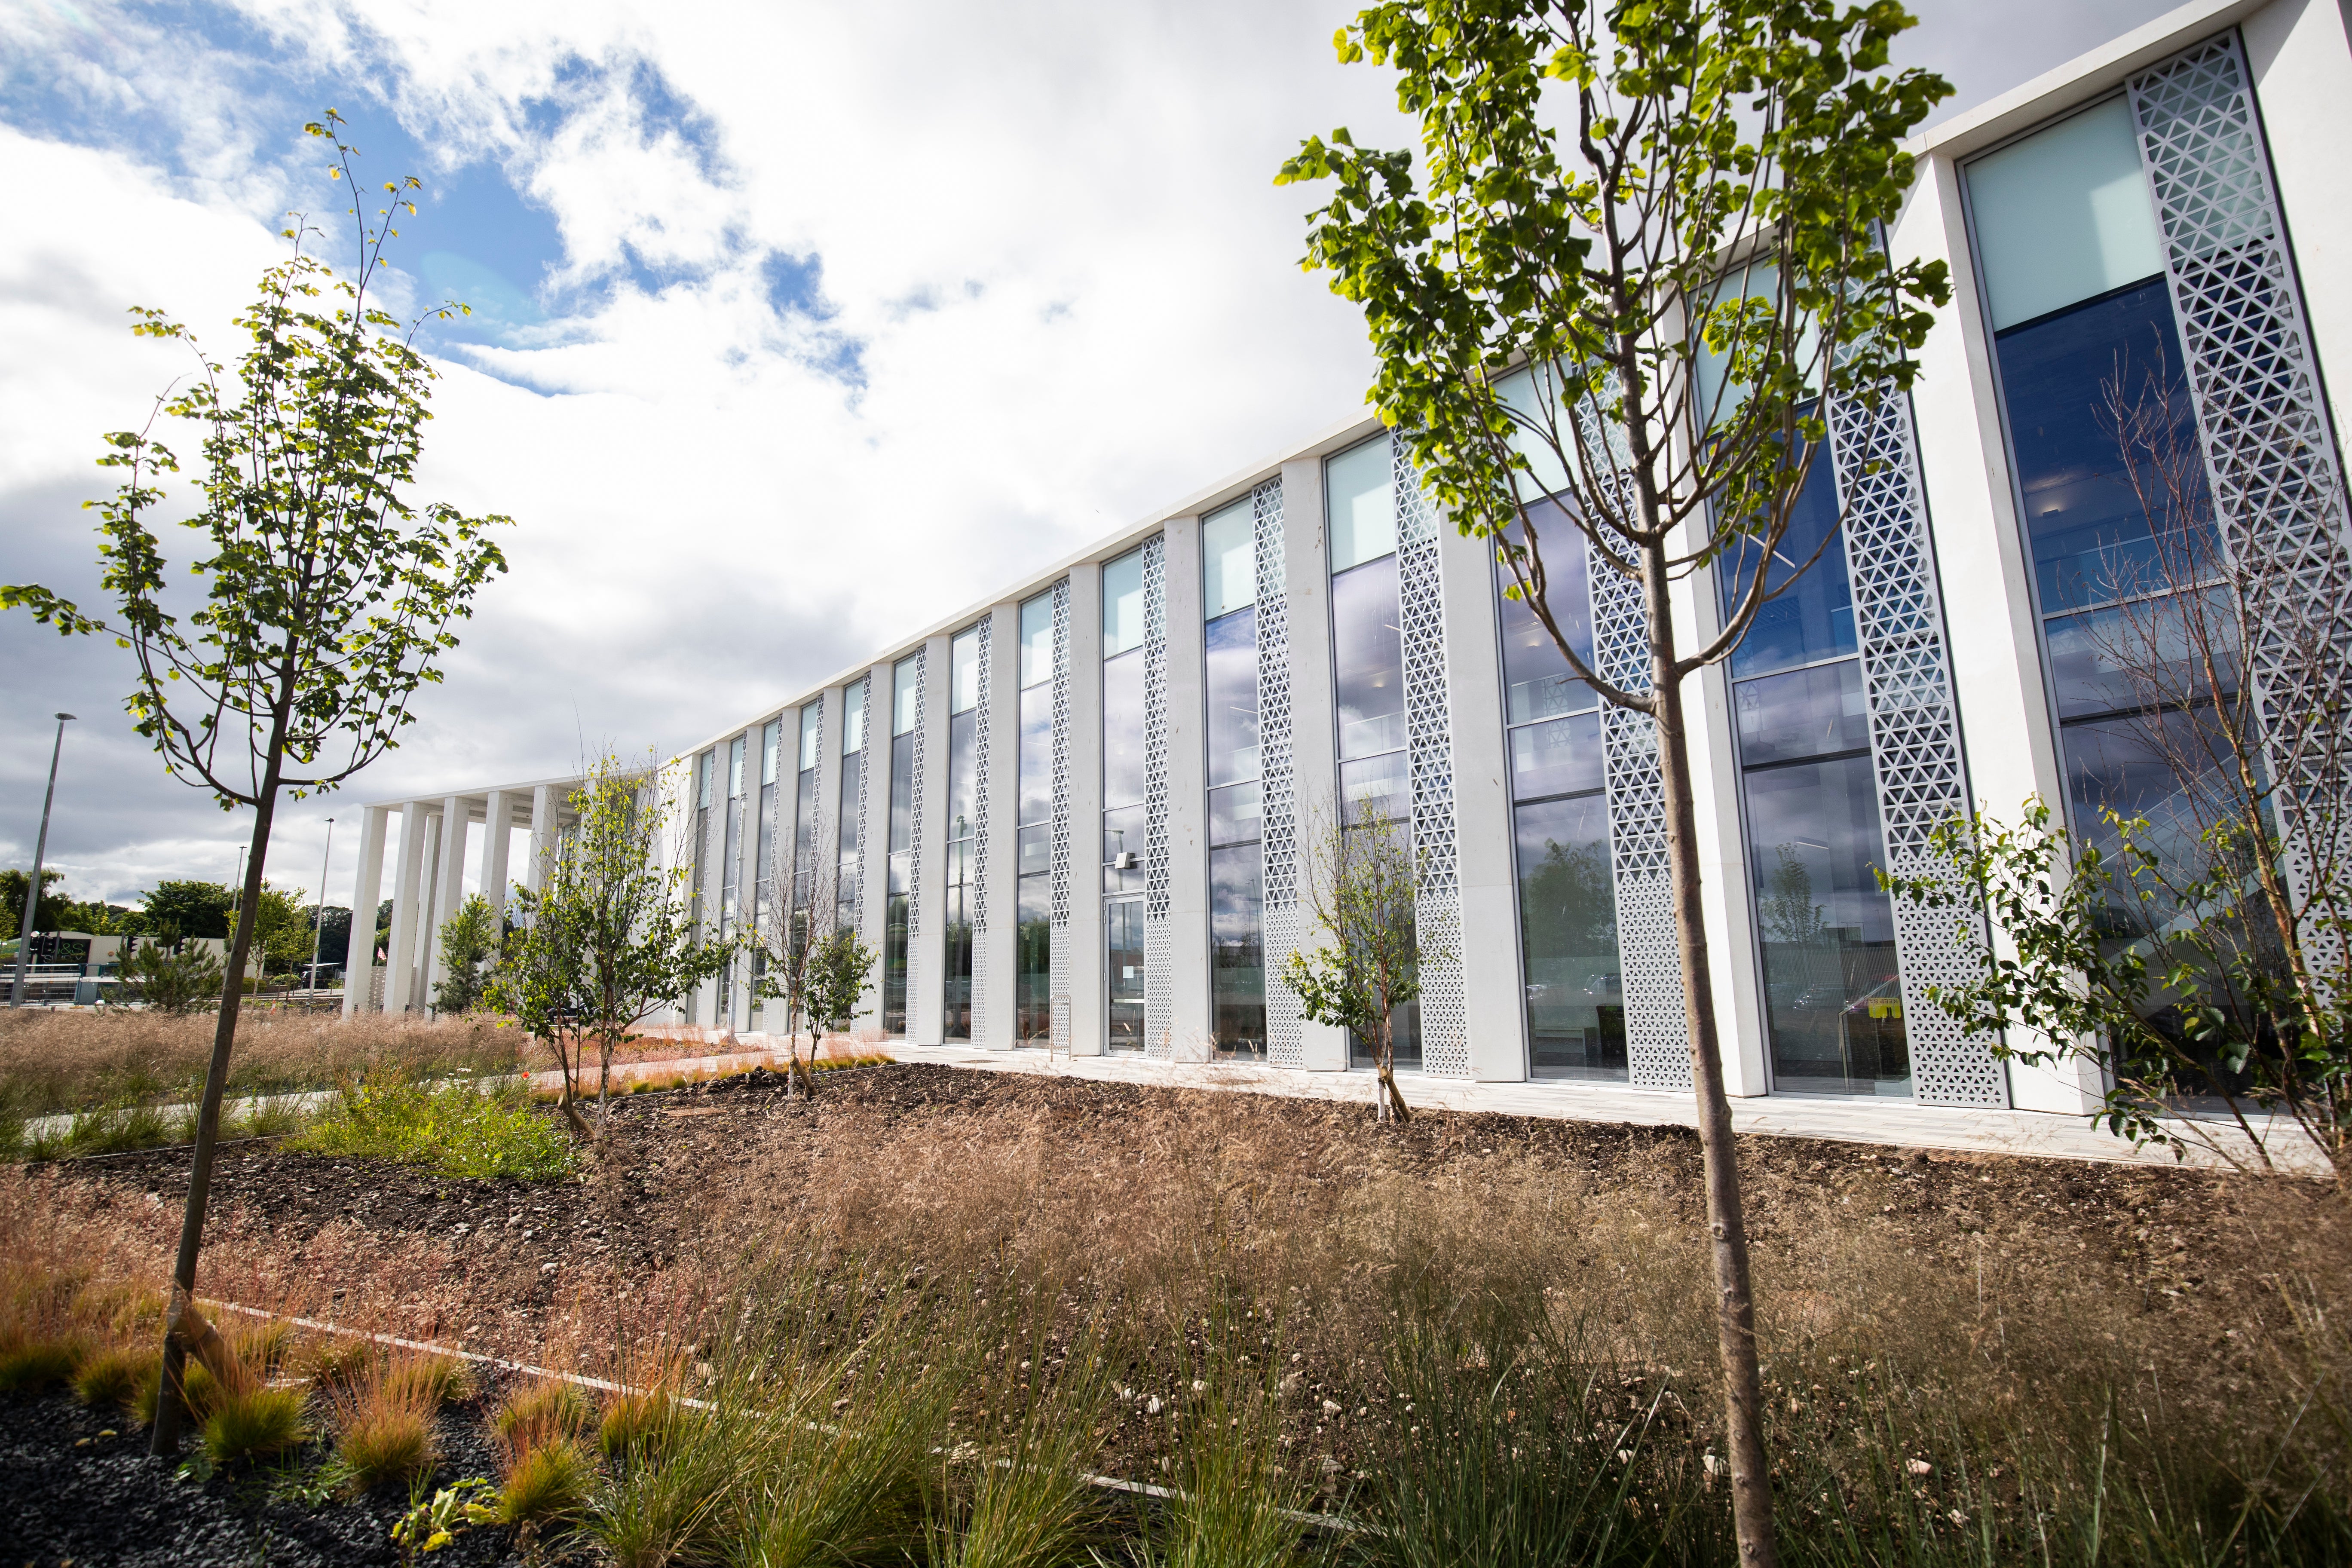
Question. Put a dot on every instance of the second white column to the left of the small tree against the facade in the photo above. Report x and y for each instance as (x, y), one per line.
(1191, 1019)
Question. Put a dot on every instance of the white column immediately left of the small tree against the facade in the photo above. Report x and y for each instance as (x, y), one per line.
(1314, 711)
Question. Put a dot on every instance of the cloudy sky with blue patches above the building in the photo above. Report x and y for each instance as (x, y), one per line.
(796, 326)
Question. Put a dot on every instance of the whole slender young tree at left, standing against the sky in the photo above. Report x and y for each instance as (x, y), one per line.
(321, 594)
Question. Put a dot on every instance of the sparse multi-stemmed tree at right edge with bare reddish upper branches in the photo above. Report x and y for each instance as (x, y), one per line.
(2189, 939)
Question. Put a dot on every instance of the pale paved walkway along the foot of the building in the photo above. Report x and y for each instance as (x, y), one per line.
(1892, 1123)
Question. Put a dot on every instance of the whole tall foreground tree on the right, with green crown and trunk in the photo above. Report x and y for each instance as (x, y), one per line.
(1619, 199)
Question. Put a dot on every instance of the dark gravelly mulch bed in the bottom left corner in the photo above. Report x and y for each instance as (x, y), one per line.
(81, 1489)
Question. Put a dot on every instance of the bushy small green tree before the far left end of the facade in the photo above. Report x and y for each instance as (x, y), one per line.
(610, 934)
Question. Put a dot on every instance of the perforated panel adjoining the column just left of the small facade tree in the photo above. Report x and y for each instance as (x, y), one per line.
(1281, 923)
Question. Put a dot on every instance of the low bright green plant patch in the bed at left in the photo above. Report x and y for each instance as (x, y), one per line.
(455, 1130)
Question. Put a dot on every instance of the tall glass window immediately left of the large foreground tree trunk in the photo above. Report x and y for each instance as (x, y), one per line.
(1561, 829)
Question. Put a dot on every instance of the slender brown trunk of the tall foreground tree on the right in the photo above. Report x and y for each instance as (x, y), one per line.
(1728, 1224)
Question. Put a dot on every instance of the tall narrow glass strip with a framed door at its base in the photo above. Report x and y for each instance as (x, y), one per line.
(1123, 803)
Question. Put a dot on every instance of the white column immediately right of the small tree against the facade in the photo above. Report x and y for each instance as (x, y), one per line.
(1490, 892)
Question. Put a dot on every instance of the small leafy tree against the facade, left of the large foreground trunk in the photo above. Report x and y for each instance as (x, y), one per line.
(1361, 887)
